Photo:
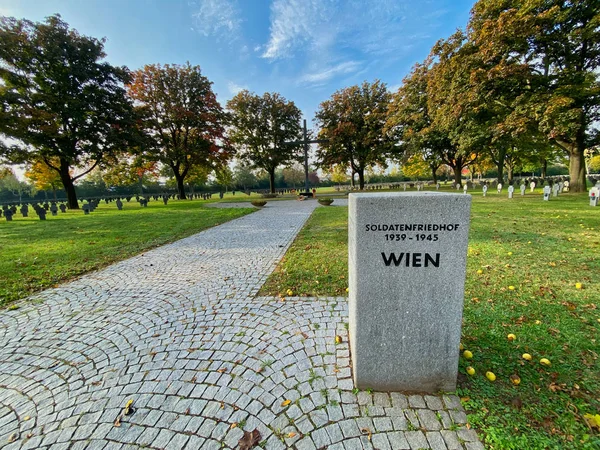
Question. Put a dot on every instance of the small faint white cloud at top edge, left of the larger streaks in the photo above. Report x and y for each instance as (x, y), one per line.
(219, 18)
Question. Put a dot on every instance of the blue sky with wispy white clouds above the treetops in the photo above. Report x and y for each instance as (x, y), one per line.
(303, 49)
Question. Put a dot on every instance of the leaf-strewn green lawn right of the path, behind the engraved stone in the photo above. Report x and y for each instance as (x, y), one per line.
(533, 272)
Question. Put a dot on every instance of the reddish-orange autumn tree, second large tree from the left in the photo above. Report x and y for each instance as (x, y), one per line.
(183, 121)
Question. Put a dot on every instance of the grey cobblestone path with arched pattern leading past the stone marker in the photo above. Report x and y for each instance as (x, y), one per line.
(179, 330)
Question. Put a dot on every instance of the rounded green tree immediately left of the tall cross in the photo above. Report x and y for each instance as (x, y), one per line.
(260, 128)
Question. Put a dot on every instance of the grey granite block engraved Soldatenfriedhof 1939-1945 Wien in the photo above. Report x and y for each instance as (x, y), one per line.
(407, 262)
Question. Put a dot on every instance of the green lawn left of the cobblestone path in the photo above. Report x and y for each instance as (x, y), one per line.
(40, 254)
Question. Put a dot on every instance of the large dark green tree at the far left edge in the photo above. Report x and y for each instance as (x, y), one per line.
(58, 100)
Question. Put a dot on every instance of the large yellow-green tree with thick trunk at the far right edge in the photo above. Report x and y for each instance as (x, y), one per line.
(549, 52)
